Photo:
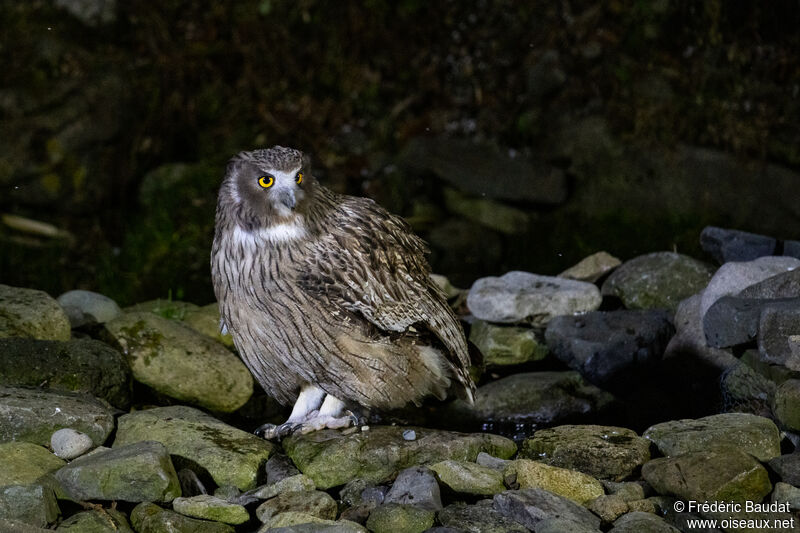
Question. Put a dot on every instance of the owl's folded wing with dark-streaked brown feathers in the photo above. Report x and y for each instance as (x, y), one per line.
(372, 264)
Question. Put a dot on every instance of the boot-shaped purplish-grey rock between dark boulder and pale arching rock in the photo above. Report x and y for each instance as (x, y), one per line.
(689, 341)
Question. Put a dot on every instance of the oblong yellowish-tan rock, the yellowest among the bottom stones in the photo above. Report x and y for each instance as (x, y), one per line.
(576, 486)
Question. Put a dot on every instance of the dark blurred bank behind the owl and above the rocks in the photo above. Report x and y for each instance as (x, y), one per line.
(512, 135)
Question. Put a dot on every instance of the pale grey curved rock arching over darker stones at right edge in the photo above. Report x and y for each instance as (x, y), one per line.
(731, 278)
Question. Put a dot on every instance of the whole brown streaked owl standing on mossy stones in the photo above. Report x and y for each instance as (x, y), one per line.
(328, 297)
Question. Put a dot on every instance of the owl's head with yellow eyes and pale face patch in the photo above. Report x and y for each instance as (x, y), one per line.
(268, 187)
